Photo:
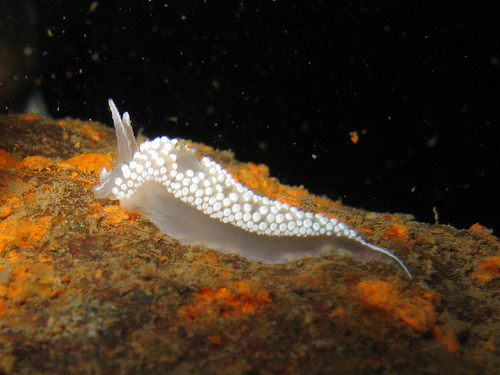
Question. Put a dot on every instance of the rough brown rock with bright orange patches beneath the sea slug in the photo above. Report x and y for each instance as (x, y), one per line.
(86, 287)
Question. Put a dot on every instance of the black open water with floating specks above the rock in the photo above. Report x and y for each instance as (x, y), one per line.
(285, 82)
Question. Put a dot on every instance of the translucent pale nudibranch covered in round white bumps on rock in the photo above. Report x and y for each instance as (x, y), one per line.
(198, 202)
